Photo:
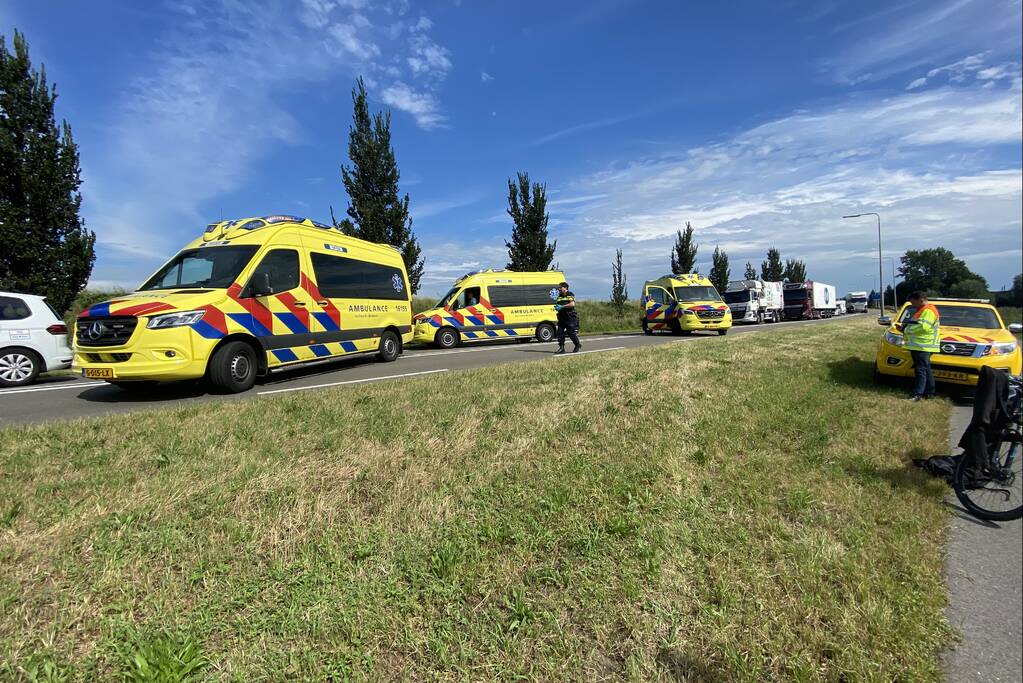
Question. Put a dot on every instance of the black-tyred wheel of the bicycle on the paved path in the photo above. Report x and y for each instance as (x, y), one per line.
(994, 492)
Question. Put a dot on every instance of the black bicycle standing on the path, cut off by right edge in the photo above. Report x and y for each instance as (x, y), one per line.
(993, 488)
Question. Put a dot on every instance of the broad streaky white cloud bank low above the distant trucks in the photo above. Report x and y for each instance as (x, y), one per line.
(914, 158)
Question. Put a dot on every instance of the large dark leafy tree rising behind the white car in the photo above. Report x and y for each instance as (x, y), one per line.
(45, 247)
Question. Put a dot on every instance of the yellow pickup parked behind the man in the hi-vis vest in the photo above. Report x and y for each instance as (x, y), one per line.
(971, 333)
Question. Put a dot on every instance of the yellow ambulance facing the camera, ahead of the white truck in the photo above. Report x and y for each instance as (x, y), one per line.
(684, 304)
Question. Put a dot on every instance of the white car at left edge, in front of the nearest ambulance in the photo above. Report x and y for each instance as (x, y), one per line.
(33, 339)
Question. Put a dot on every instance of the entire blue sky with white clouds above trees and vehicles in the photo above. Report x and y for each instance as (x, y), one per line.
(761, 123)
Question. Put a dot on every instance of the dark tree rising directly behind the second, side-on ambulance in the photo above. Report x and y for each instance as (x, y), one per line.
(529, 250)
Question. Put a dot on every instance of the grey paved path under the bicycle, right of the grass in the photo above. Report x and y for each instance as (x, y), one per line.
(985, 574)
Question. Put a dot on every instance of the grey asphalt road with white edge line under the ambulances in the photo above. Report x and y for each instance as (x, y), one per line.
(69, 397)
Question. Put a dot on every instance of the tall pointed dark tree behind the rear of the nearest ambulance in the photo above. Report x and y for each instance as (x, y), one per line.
(375, 212)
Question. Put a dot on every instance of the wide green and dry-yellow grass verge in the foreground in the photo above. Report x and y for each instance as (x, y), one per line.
(735, 509)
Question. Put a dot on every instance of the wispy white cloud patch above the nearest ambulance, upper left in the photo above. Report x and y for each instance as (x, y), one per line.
(180, 139)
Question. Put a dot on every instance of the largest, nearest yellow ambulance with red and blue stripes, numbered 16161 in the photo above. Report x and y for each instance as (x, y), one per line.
(248, 298)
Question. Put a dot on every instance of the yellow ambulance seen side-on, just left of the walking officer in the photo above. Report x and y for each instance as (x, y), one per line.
(493, 304)
